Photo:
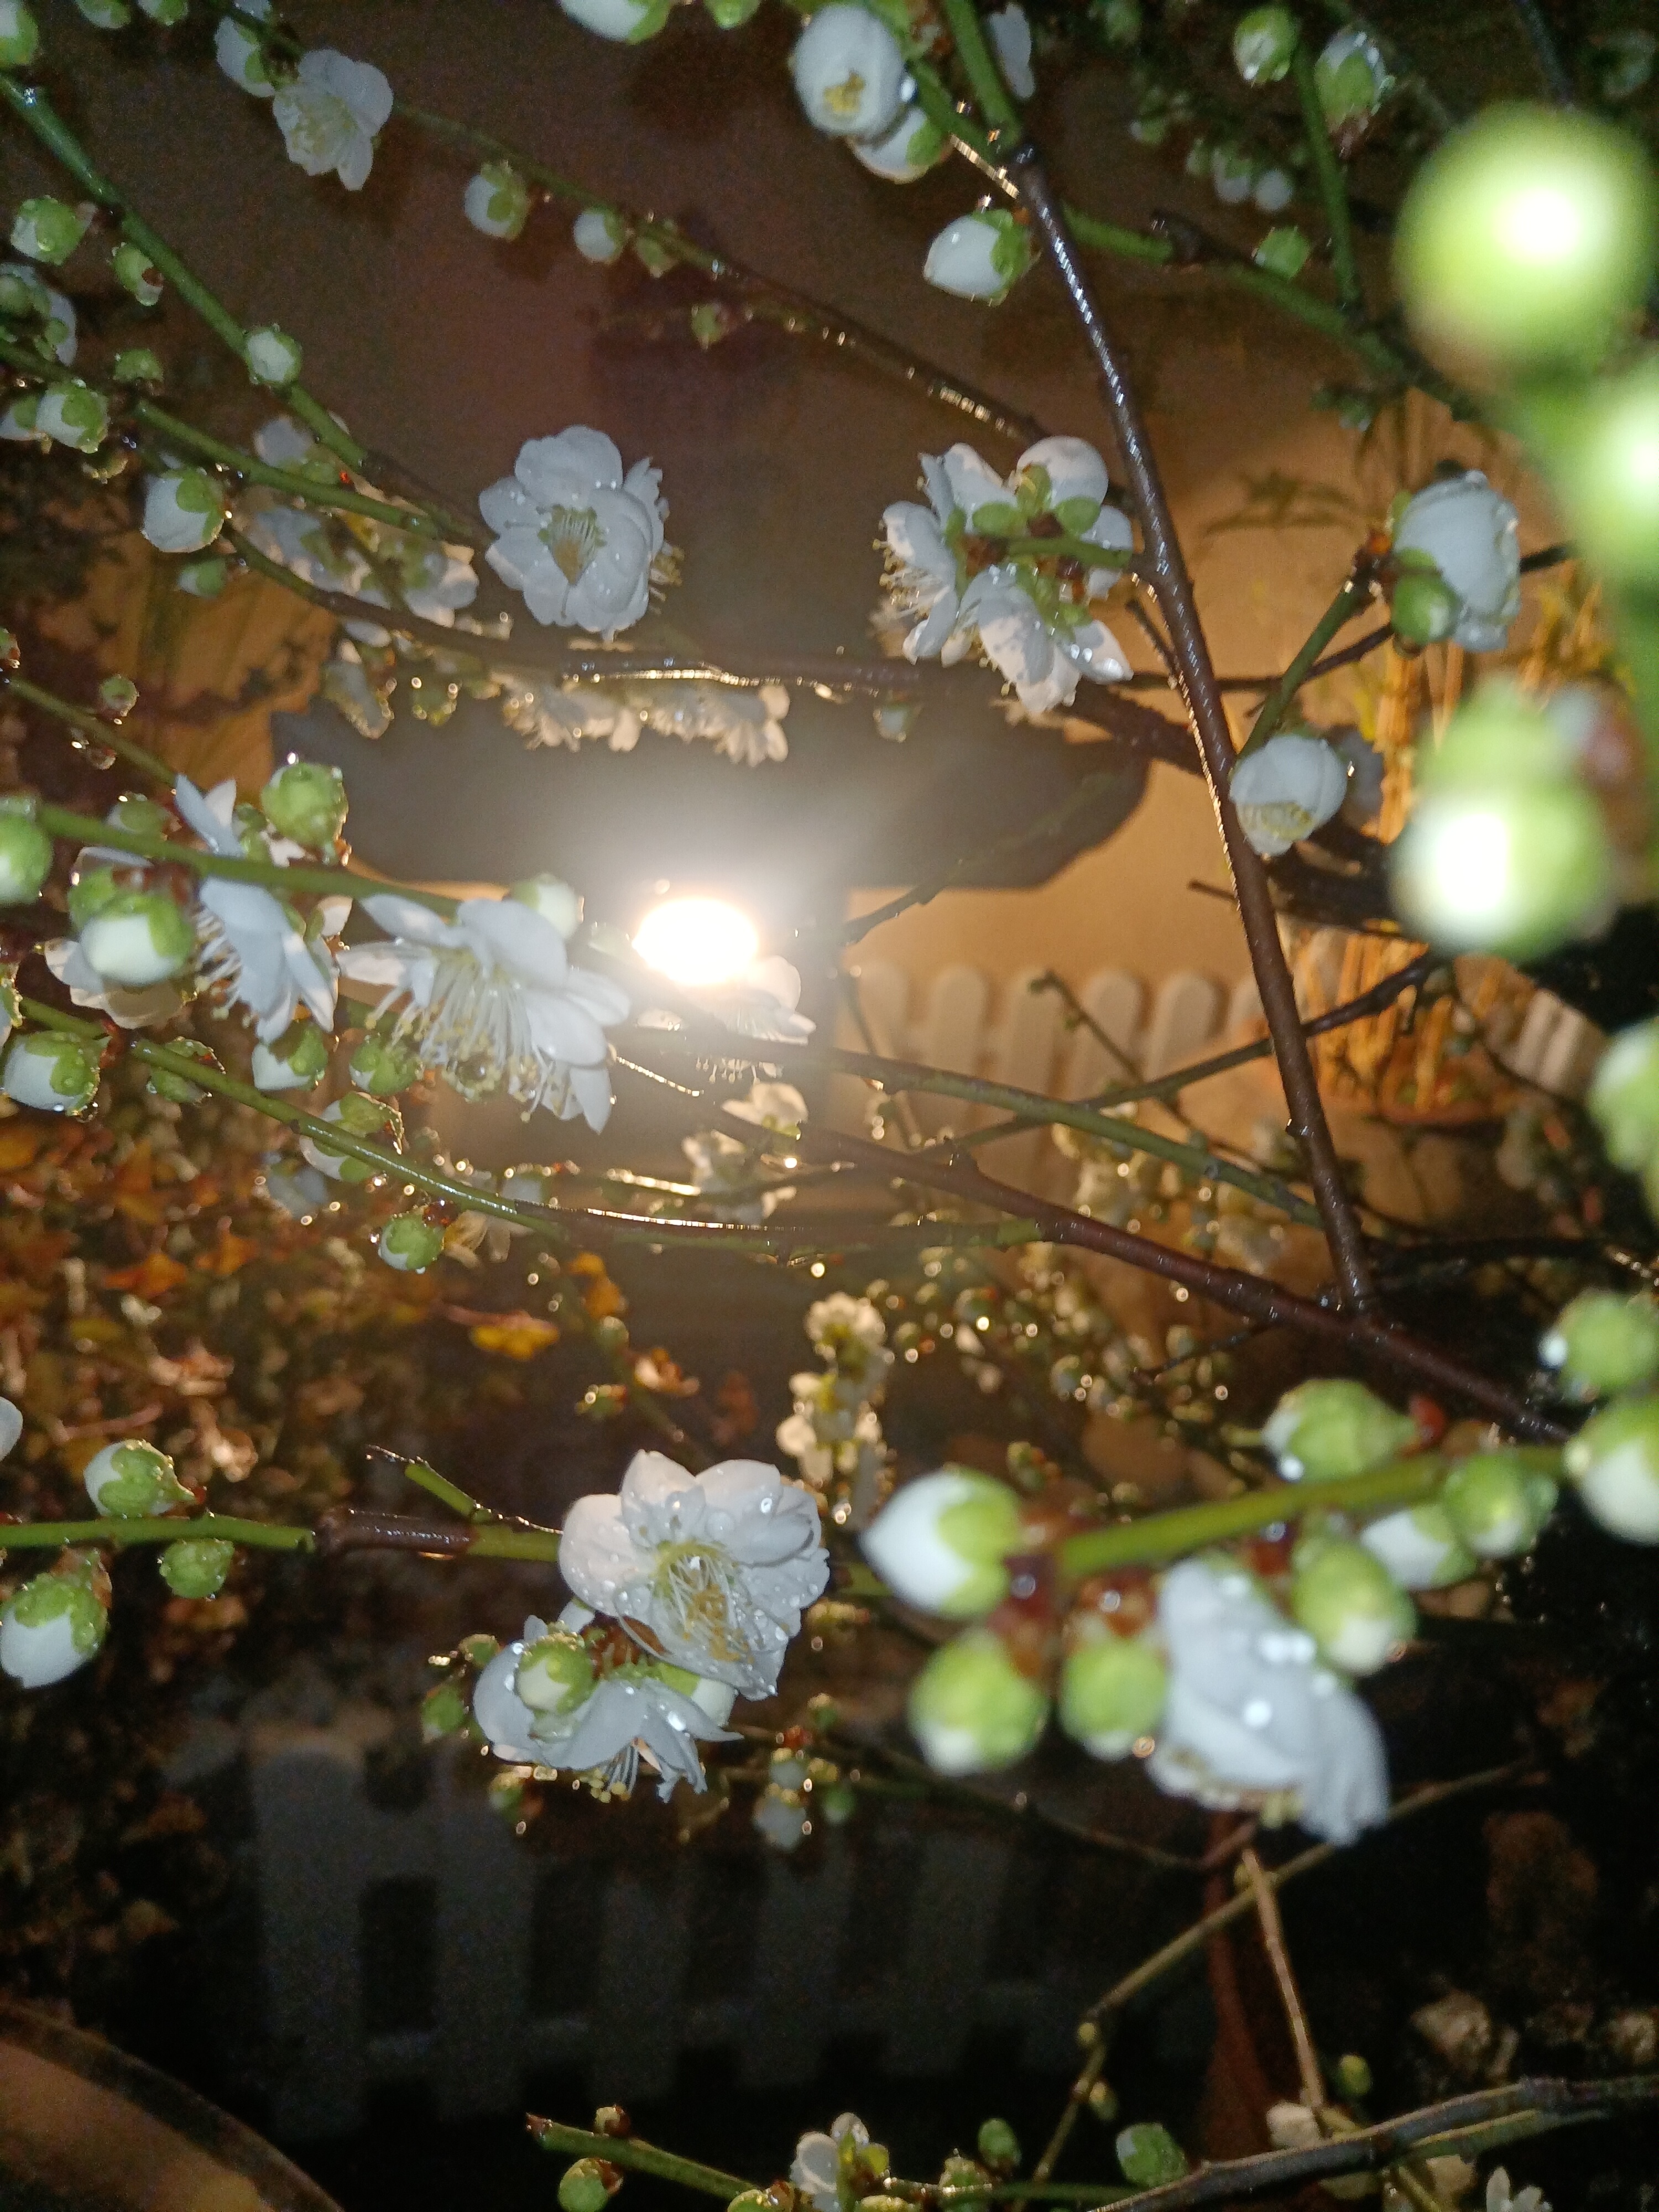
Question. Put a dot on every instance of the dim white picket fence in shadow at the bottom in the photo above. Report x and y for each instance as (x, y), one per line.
(432, 1948)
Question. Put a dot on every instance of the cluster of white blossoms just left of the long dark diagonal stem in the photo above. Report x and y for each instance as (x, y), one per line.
(1032, 627)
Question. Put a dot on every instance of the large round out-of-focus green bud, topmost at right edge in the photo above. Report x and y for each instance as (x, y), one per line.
(1527, 240)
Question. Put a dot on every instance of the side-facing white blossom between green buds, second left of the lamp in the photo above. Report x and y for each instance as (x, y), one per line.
(253, 950)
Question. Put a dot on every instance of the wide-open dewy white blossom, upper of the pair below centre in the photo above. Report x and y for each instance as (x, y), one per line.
(713, 1569)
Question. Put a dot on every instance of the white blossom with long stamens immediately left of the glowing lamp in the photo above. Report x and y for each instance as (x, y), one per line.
(494, 1003)
